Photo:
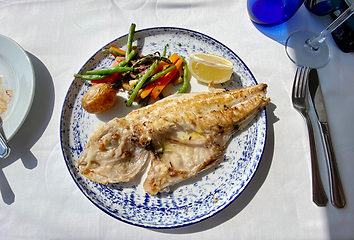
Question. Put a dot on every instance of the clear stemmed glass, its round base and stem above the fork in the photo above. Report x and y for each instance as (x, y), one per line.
(306, 48)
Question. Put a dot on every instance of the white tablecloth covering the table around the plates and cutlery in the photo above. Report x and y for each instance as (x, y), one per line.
(40, 199)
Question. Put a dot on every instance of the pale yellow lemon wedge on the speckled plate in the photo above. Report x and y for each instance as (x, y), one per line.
(209, 68)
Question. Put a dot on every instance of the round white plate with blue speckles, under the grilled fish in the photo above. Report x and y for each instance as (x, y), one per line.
(195, 199)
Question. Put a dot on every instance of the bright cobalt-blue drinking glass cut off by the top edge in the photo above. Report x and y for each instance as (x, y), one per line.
(272, 12)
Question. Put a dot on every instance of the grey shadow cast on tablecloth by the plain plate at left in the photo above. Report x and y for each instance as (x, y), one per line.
(32, 128)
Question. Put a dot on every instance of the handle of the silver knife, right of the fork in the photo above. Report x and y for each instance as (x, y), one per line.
(337, 193)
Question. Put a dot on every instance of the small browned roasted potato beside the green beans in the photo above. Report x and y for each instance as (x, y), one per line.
(99, 98)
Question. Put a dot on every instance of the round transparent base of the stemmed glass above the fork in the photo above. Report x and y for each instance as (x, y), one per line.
(302, 55)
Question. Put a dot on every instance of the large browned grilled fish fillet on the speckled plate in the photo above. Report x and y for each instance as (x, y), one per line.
(180, 135)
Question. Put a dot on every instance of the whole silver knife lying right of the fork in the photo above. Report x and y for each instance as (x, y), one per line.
(337, 193)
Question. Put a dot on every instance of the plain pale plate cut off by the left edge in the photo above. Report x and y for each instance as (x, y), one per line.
(16, 69)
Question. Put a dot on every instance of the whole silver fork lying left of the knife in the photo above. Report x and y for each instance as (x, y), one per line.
(301, 104)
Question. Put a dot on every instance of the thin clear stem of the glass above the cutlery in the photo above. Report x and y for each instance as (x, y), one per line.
(314, 42)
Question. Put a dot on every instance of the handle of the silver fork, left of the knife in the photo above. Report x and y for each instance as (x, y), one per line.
(318, 193)
